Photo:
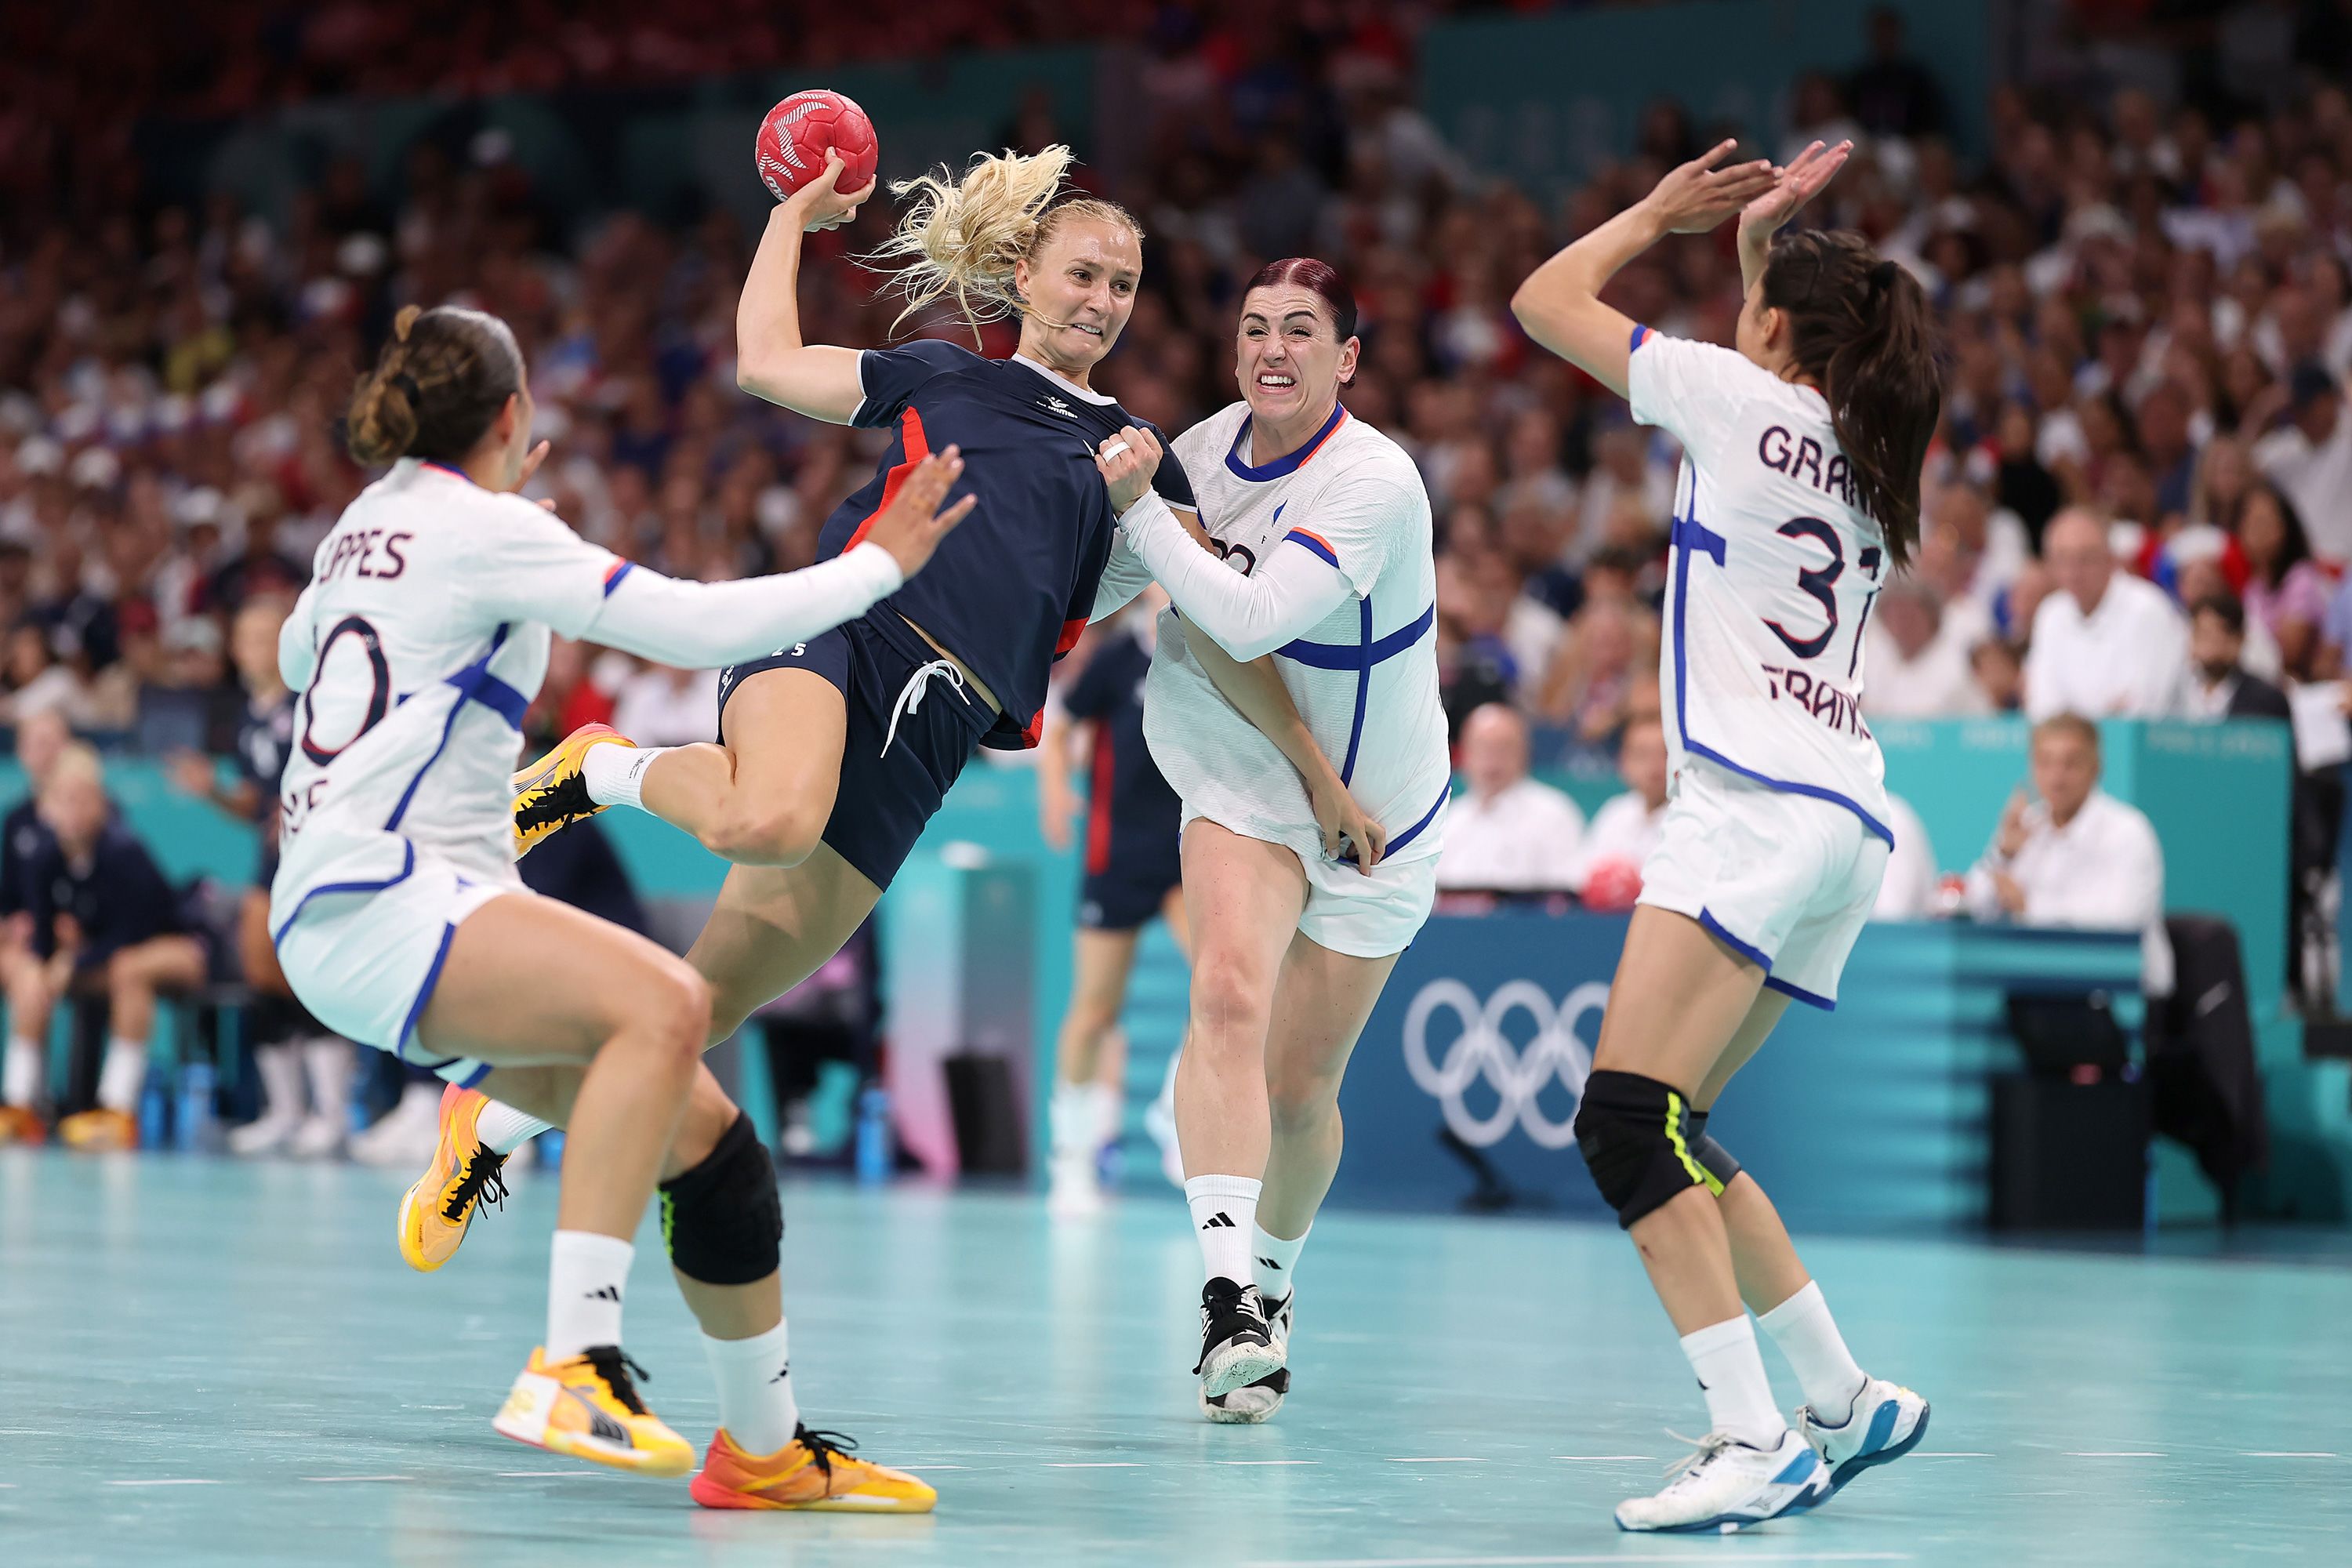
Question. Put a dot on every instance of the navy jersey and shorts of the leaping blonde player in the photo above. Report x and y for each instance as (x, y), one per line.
(1008, 591)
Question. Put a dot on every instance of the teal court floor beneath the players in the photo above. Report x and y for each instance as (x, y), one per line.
(211, 1362)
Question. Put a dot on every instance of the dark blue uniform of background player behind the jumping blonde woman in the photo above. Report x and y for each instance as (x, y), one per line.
(1132, 815)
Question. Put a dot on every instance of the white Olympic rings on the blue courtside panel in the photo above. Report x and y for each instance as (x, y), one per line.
(1483, 1052)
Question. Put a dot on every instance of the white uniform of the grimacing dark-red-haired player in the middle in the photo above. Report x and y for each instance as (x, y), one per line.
(1330, 570)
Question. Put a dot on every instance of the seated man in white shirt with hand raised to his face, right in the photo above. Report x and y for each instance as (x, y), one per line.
(2076, 857)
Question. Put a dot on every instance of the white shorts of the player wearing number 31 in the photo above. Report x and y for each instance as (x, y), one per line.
(1784, 880)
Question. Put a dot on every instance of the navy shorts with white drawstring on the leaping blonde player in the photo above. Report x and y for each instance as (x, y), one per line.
(883, 803)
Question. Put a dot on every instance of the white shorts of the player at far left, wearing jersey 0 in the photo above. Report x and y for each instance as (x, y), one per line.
(366, 951)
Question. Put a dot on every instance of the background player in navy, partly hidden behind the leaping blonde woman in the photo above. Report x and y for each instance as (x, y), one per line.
(1132, 876)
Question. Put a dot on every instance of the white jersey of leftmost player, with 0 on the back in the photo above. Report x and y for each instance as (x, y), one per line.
(427, 634)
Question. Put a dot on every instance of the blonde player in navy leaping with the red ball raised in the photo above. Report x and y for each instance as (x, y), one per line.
(836, 751)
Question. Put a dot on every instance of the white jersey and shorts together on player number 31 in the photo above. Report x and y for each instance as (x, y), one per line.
(1777, 833)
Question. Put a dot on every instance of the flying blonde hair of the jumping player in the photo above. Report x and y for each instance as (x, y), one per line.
(963, 239)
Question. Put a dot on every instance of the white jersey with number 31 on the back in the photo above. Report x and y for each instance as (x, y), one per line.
(1775, 572)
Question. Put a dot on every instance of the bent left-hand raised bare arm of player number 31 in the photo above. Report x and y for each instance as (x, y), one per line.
(1561, 304)
